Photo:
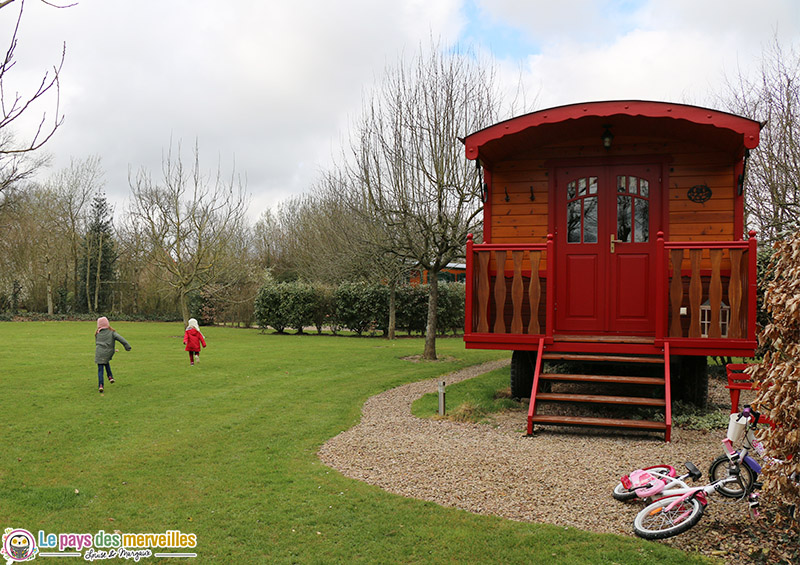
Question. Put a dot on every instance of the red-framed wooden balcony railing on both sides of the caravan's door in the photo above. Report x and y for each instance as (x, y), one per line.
(705, 293)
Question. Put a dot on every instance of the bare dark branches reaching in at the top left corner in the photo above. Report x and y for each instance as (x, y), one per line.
(16, 162)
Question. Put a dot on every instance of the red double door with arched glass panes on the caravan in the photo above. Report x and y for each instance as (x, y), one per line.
(606, 221)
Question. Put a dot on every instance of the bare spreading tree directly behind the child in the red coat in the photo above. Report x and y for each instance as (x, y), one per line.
(190, 222)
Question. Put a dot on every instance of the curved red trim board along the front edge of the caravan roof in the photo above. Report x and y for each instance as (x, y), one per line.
(749, 129)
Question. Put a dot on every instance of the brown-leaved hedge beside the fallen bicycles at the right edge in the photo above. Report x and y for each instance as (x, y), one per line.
(778, 376)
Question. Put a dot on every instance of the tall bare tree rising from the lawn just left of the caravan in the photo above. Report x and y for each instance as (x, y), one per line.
(409, 167)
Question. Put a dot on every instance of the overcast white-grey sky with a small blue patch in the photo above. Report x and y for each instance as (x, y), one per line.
(270, 86)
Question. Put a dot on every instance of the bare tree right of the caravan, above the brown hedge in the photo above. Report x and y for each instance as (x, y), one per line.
(773, 170)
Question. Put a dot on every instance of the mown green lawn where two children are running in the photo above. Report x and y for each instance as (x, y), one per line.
(227, 450)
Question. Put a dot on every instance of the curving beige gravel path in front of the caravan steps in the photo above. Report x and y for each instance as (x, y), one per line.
(552, 477)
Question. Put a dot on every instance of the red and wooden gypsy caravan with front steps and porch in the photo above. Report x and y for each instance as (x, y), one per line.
(613, 231)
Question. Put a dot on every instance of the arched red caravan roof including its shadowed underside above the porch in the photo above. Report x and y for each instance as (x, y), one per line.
(724, 131)
